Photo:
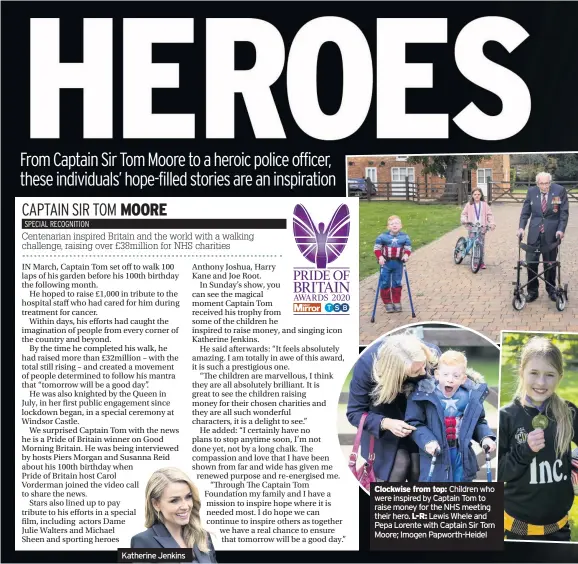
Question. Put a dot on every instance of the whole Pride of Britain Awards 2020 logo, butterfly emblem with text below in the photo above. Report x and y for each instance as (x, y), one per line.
(321, 289)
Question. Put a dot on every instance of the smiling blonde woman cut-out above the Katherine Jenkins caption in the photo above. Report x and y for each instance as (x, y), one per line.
(172, 516)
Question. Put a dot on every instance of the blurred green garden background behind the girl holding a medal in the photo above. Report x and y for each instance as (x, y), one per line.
(512, 344)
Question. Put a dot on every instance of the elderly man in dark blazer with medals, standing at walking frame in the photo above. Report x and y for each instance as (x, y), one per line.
(546, 206)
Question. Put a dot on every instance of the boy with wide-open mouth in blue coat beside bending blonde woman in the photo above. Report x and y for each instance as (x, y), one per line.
(448, 413)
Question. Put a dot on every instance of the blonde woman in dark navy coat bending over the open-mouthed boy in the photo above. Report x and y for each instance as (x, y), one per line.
(383, 378)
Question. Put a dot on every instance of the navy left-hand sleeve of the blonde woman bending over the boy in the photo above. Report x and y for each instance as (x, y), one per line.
(360, 399)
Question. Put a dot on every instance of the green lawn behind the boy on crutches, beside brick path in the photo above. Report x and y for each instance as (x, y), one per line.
(423, 224)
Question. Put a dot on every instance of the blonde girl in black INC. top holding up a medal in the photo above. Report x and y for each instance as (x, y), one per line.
(534, 455)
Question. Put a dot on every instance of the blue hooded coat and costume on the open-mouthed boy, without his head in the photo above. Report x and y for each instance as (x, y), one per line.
(453, 423)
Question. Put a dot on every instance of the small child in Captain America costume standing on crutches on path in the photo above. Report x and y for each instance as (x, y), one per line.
(392, 248)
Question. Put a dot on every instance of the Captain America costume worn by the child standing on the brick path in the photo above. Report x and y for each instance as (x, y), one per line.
(392, 248)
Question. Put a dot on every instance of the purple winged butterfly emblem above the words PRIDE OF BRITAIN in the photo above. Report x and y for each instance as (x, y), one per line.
(319, 245)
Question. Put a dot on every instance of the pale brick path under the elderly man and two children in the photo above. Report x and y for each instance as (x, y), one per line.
(443, 291)
